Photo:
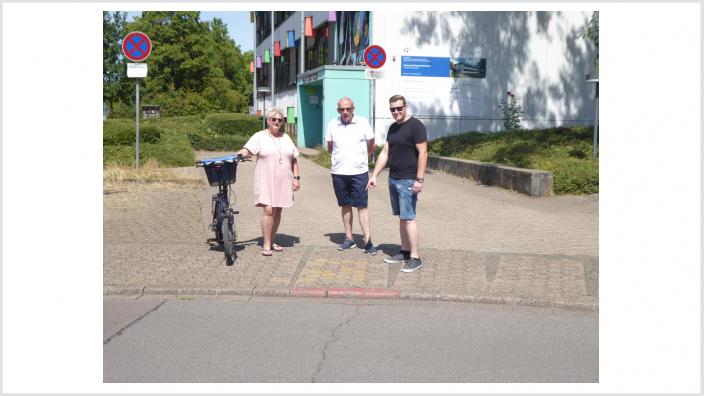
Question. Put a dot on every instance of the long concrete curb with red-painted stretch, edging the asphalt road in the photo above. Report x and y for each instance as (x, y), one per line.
(345, 292)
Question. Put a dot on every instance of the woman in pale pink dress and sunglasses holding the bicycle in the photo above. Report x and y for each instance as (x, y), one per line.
(276, 175)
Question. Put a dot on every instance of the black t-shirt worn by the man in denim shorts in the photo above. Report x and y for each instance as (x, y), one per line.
(403, 154)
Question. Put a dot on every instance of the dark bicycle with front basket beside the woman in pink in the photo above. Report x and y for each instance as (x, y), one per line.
(221, 172)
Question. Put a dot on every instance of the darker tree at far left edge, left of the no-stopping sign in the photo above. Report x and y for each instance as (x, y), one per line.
(116, 85)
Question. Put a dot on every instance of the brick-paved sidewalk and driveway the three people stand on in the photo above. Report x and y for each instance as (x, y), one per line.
(478, 244)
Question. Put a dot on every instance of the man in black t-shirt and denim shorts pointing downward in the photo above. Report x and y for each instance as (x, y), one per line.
(406, 149)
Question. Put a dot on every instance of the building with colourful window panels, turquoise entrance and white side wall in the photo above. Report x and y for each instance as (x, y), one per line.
(454, 68)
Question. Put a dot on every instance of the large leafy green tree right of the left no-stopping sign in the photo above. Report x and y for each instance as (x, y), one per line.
(195, 67)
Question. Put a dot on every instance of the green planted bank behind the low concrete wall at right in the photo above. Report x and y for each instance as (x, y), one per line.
(566, 152)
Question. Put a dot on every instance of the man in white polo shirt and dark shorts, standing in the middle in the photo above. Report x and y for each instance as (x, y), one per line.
(350, 139)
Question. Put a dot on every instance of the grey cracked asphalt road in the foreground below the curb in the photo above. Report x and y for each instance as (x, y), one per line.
(289, 340)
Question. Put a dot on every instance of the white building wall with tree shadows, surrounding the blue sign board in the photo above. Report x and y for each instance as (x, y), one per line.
(536, 55)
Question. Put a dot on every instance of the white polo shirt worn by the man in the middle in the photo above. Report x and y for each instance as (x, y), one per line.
(349, 145)
